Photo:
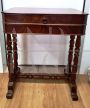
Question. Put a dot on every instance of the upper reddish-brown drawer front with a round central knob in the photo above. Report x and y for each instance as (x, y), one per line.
(45, 19)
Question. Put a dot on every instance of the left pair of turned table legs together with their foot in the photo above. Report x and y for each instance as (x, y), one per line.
(12, 63)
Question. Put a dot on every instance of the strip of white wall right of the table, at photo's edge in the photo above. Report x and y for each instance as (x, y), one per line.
(85, 61)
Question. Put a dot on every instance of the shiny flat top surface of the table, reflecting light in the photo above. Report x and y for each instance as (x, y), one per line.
(24, 10)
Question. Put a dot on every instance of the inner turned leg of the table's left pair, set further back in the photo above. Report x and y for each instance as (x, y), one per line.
(16, 68)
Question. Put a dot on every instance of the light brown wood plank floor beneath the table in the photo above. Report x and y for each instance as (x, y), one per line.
(45, 94)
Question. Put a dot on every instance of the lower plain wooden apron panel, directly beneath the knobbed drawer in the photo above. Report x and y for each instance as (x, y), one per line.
(44, 29)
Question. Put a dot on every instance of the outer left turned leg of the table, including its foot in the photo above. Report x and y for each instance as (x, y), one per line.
(10, 67)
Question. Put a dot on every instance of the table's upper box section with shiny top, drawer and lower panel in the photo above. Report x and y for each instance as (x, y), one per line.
(41, 20)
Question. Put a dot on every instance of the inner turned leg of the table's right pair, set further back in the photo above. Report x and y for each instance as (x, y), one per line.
(70, 55)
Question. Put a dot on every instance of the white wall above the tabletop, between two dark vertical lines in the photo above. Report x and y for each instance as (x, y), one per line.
(77, 4)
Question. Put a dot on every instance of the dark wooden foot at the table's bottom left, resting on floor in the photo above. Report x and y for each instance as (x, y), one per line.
(9, 94)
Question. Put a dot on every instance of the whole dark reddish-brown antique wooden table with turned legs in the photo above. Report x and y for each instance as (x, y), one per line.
(43, 21)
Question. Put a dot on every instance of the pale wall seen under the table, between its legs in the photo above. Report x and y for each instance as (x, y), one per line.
(50, 50)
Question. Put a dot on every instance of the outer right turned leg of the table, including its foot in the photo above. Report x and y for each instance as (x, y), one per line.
(74, 69)
